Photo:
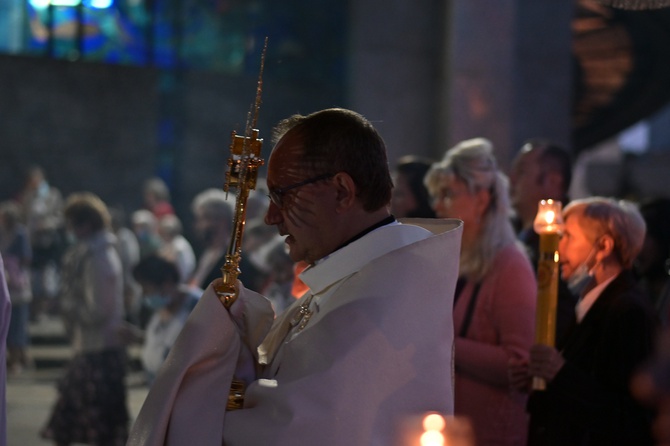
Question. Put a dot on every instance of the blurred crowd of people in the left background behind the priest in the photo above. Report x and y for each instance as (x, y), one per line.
(114, 280)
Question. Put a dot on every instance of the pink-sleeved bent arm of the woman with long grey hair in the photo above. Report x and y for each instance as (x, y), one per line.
(512, 314)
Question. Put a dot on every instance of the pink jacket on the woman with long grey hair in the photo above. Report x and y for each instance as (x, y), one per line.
(502, 327)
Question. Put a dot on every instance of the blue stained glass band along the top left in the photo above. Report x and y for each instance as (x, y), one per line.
(307, 38)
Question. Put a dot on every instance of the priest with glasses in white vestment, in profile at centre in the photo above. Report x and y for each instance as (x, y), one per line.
(368, 347)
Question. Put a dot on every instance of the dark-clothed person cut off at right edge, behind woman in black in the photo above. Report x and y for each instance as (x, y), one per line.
(653, 262)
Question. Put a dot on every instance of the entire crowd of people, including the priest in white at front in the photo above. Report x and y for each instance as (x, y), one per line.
(375, 309)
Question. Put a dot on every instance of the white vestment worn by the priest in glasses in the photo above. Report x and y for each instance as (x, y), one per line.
(377, 349)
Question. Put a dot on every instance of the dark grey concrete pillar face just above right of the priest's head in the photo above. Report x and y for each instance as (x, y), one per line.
(396, 52)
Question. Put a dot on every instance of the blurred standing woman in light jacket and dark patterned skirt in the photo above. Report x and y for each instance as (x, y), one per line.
(91, 405)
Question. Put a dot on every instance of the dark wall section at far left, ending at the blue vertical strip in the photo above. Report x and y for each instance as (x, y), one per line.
(92, 127)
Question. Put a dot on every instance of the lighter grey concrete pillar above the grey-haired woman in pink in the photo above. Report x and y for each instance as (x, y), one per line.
(508, 73)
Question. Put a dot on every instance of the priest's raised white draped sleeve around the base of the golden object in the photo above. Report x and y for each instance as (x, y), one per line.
(187, 402)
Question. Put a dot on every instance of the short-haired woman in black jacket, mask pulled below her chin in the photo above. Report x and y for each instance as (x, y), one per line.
(587, 400)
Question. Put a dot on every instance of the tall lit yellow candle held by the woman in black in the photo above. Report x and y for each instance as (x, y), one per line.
(548, 224)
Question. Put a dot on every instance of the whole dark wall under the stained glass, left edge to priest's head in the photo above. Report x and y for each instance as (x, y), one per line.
(107, 128)
